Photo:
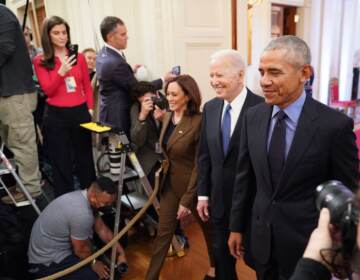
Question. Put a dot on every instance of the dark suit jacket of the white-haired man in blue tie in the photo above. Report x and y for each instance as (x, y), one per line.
(216, 170)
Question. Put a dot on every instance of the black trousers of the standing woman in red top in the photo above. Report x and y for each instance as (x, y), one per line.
(69, 146)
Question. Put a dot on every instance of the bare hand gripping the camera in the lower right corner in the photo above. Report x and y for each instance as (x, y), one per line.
(320, 237)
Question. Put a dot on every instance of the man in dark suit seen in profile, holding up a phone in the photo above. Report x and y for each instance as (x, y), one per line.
(115, 75)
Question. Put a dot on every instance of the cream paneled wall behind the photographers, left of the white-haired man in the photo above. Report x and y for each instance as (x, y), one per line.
(163, 33)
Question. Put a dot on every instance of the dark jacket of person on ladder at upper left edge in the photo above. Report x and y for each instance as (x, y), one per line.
(15, 65)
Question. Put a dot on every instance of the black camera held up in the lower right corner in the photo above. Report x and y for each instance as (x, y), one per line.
(344, 212)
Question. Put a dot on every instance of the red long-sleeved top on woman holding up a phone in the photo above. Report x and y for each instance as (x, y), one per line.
(55, 88)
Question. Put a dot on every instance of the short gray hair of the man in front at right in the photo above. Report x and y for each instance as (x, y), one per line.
(298, 52)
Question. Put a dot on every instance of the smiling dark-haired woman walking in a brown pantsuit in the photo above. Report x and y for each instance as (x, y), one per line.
(179, 140)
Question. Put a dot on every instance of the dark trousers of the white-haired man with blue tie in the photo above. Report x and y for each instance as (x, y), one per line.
(225, 263)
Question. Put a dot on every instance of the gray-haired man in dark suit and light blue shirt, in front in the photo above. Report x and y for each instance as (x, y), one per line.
(289, 145)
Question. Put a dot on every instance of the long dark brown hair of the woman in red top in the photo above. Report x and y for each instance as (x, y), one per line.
(48, 60)
